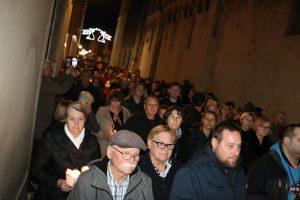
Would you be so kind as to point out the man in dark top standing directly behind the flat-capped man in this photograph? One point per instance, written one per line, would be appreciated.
(144, 122)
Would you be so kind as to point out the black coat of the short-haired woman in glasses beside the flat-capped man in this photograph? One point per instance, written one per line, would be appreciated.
(161, 186)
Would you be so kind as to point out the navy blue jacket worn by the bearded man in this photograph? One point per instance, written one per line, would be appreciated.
(204, 178)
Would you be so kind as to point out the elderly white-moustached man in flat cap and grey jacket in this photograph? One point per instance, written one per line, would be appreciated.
(116, 176)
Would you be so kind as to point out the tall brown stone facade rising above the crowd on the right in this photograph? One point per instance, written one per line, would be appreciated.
(239, 49)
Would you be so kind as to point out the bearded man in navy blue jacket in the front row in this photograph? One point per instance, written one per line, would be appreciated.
(215, 173)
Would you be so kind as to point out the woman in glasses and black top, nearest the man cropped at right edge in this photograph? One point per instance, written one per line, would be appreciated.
(258, 142)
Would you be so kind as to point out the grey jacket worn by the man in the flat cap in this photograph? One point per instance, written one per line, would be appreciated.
(92, 184)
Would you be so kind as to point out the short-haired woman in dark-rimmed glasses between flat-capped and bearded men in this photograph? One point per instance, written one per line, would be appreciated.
(158, 163)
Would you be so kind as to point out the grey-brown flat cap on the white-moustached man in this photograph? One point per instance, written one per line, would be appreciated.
(126, 138)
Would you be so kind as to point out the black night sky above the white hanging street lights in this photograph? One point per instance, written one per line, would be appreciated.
(102, 14)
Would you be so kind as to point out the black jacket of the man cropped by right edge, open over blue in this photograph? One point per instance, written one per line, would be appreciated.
(267, 179)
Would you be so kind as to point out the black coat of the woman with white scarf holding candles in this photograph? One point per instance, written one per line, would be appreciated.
(56, 154)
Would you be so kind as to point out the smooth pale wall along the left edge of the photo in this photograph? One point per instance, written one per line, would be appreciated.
(23, 39)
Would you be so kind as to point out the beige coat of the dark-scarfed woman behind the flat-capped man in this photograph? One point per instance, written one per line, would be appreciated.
(107, 126)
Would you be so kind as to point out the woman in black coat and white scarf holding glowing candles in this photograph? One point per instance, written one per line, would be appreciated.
(68, 146)
